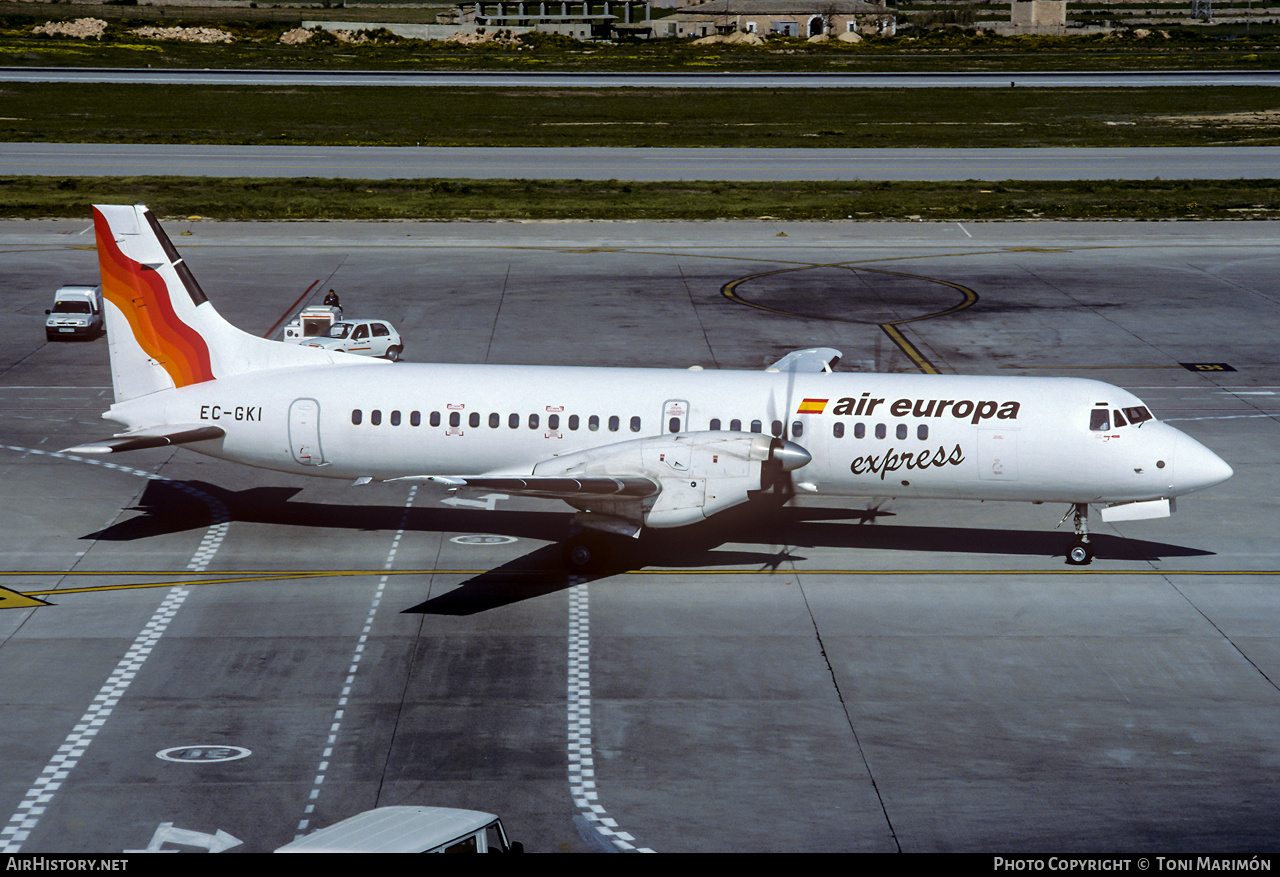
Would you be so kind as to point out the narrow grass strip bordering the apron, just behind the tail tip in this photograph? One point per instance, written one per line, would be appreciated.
(314, 199)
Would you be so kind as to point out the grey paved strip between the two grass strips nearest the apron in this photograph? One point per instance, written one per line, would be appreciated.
(639, 165)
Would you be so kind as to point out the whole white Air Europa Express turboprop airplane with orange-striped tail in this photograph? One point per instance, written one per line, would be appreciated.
(629, 449)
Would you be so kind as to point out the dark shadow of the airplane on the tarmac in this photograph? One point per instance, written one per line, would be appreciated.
(168, 510)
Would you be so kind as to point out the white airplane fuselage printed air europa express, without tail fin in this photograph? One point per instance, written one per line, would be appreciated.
(868, 435)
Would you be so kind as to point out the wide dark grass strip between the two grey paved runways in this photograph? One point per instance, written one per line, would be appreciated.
(639, 117)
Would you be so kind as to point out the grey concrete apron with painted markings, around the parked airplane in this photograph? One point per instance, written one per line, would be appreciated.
(230, 657)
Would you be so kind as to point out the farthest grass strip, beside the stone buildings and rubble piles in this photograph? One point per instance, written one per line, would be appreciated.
(258, 30)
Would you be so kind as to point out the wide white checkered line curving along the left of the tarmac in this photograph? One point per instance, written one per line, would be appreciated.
(25, 820)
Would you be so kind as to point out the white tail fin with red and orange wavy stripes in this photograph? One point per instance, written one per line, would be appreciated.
(162, 330)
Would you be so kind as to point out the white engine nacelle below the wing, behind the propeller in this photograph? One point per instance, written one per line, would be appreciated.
(700, 474)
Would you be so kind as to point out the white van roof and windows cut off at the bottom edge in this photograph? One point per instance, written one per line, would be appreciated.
(399, 830)
